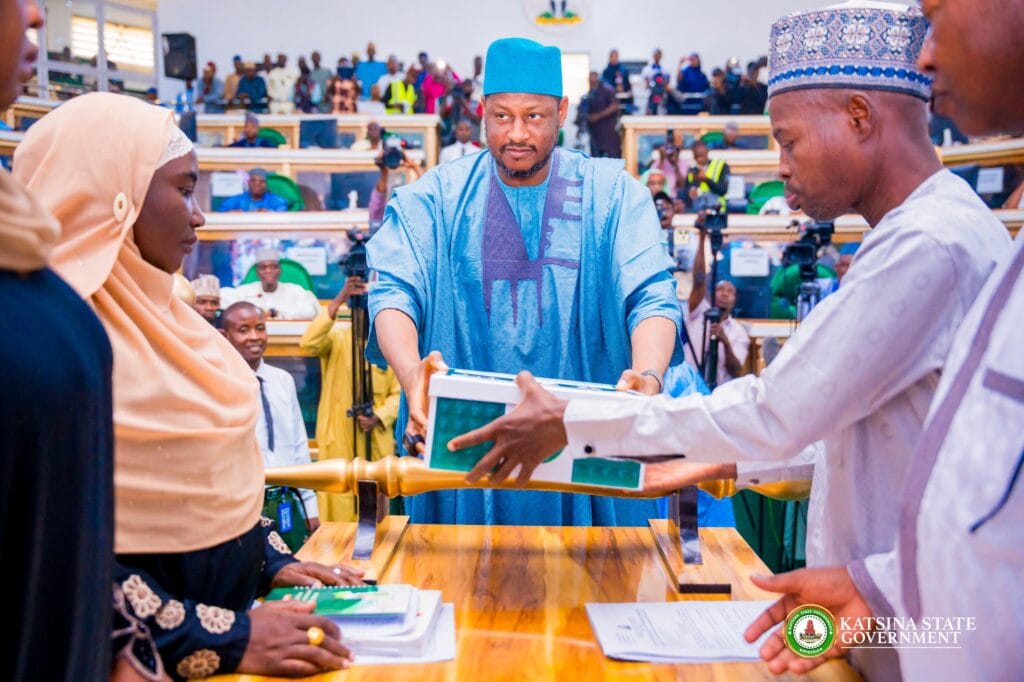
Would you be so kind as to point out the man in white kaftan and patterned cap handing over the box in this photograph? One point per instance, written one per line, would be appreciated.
(861, 371)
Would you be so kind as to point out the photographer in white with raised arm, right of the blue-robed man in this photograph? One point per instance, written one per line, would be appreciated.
(735, 343)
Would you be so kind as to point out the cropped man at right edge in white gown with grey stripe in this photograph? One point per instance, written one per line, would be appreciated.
(959, 546)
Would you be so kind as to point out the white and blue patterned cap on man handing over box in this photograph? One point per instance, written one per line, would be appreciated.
(860, 46)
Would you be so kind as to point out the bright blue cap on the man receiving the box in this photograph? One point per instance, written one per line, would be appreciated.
(518, 65)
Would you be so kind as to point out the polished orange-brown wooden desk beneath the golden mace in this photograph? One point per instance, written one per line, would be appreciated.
(520, 595)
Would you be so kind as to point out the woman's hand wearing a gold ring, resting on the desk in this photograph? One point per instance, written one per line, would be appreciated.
(279, 644)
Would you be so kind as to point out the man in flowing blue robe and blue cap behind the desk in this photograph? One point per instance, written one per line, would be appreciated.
(525, 258)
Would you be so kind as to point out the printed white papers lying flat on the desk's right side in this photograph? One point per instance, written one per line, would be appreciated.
(677, 631)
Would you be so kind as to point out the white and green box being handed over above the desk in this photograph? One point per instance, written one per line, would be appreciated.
(462, 401)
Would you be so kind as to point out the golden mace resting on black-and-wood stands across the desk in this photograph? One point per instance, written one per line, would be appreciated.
(377, 536)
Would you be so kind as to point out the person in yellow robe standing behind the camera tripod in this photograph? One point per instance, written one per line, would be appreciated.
(338, 435)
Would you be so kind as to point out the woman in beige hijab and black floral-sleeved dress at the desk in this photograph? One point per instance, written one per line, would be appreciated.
(192, 548)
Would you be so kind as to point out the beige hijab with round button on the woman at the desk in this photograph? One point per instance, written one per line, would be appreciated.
(189, 474)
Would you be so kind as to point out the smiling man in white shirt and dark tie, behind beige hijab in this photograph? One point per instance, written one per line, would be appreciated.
(281, 432)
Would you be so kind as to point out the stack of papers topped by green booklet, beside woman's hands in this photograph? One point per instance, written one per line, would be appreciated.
(385, 623)
